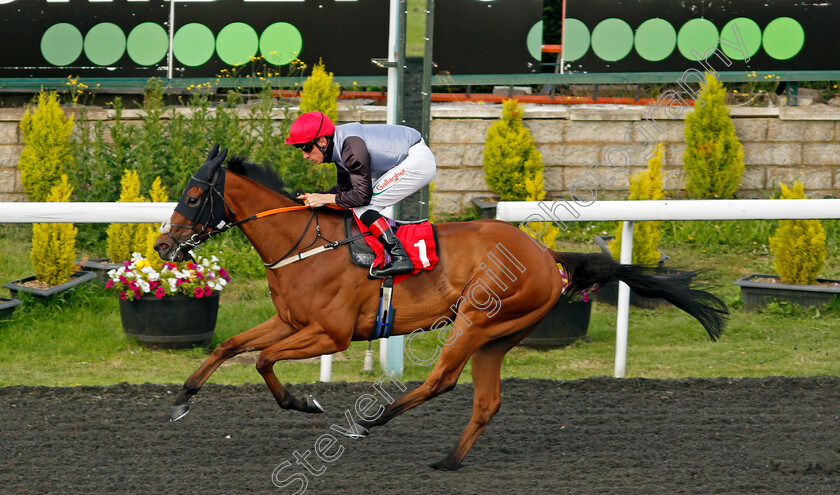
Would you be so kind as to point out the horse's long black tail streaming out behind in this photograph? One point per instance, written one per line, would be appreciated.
(586, 270)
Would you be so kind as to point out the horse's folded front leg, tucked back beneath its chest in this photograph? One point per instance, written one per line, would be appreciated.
(310, 341)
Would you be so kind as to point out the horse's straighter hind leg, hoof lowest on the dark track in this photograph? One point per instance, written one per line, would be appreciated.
(486, 373)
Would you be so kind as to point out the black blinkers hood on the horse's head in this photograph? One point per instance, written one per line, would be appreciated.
(210, 178)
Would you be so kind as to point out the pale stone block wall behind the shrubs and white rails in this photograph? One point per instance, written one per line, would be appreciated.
(780, 145)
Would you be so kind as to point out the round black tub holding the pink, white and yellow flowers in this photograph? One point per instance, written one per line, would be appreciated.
(172, 322)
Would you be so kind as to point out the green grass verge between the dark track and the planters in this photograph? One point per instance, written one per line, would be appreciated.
(77, 339)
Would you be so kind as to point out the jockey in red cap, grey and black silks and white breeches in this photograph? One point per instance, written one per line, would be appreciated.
(378, 165)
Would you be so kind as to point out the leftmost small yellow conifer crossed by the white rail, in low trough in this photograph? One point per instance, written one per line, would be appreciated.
(54, 244)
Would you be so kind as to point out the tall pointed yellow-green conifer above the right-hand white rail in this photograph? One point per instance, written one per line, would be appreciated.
(714, 158)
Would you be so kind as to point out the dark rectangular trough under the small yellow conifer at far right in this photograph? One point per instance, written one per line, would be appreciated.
(757, 293)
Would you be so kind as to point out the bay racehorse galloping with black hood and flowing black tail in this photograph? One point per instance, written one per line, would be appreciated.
(492, 285)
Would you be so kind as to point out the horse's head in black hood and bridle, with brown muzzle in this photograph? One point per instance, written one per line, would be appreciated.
(201, 210)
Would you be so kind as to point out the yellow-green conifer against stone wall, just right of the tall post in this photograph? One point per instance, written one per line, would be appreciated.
(510, 156)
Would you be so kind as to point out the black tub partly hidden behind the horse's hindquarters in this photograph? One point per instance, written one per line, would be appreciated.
(567, 322)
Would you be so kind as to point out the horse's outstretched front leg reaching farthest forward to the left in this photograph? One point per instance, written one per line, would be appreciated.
(256, 339)
